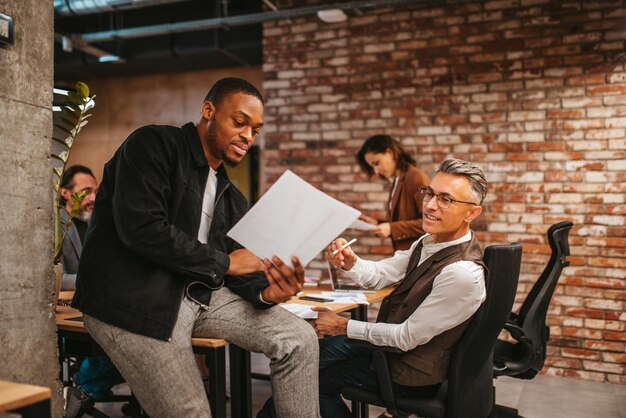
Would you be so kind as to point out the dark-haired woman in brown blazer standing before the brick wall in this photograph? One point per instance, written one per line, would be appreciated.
(384, 156)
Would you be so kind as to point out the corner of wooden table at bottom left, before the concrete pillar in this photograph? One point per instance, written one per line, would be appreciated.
(27, 400)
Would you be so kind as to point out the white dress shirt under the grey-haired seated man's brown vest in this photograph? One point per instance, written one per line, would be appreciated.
(457, 293)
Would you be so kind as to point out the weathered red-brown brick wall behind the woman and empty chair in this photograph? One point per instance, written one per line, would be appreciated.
(535, 91)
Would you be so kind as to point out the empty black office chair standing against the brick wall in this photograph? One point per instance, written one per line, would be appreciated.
(525, 357)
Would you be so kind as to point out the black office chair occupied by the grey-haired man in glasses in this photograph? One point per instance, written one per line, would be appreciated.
(468, 391)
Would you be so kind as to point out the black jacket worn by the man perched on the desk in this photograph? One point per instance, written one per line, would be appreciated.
(141, 248)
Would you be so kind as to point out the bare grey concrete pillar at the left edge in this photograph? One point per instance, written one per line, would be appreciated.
(27, 329)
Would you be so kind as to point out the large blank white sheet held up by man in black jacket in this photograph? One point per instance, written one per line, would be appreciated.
(292, 218)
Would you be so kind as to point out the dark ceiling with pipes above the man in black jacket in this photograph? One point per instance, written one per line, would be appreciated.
(186, 50)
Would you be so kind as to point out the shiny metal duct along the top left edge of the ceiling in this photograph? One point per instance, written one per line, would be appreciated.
(84, 7)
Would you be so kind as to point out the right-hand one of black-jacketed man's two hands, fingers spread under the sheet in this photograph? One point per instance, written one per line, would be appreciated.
(284, 282)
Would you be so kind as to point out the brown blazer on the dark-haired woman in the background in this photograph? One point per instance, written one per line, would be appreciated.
(405, 215)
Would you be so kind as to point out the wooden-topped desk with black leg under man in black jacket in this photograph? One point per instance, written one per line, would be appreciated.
(74, 340)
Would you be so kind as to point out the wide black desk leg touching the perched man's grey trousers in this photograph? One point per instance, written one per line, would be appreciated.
(240, 388)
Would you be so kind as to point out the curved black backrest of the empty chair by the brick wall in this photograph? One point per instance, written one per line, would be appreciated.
(534, 309)
